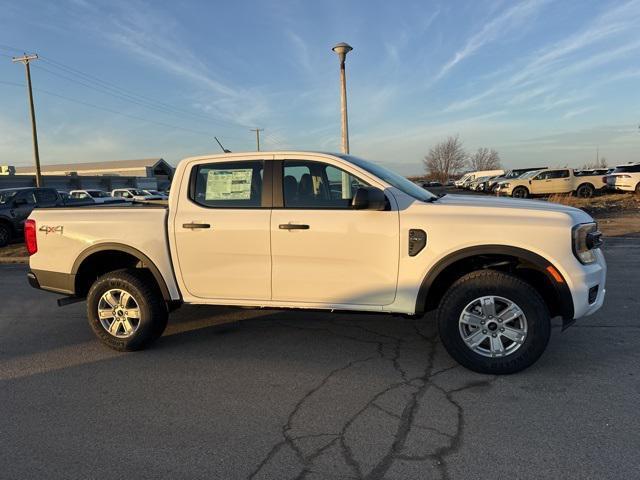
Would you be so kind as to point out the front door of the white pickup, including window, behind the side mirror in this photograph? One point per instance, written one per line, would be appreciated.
(323, 251)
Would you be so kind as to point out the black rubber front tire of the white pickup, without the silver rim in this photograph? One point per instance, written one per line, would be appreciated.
(489, 282)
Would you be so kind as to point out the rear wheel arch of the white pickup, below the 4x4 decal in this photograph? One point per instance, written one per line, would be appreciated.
(109, 257)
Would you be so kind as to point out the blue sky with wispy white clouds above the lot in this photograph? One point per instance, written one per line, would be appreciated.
(544, 82)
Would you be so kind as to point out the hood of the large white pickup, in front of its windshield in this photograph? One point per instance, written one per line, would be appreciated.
(476, 201)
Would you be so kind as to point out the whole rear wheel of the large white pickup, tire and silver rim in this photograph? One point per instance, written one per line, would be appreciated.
(126, 310)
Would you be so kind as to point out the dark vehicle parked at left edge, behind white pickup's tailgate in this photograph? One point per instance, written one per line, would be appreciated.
(16, 205)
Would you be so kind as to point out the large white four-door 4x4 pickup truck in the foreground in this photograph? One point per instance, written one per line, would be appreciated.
(322, 231)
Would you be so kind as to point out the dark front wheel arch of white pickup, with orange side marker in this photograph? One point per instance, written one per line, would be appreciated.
(525, 264)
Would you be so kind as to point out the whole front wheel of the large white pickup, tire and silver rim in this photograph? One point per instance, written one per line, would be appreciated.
(491, 322)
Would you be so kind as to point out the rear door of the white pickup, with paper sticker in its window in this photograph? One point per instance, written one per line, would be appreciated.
(222, 232)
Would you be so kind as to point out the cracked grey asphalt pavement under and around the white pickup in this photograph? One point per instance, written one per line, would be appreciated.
(241, 394)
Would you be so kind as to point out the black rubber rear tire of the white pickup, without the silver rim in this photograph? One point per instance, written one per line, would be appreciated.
(141, 285)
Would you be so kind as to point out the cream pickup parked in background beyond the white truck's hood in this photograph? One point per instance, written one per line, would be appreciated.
(550, 181)
